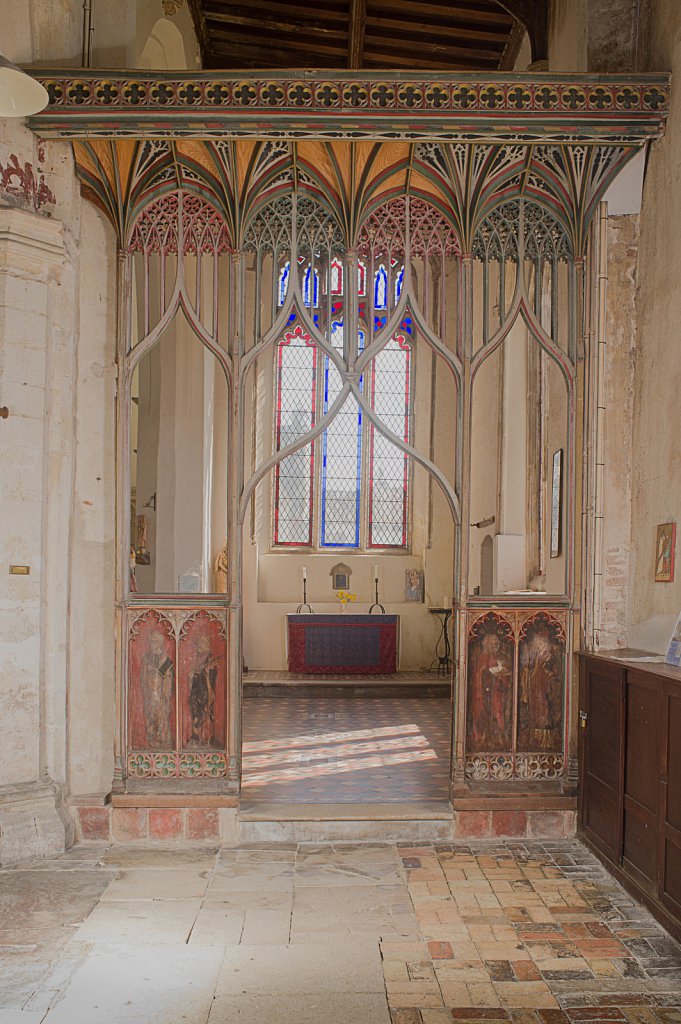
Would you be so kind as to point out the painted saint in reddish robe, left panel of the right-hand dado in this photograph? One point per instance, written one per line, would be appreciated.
(491, 696)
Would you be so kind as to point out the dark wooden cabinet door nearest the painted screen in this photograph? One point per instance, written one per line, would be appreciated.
(602, 745)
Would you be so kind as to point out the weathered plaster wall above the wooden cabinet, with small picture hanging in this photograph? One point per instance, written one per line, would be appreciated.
(657, 454)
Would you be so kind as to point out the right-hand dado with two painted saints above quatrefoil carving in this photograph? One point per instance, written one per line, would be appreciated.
(516, 696)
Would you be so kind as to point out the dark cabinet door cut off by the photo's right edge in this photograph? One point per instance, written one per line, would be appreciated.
(670, 862)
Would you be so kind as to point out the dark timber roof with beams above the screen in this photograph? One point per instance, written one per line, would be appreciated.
(446, 35)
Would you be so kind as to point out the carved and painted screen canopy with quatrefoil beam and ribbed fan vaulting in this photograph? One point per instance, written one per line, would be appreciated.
(354, 141)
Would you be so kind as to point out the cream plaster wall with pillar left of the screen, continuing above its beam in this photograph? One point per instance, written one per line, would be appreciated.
(58, 308)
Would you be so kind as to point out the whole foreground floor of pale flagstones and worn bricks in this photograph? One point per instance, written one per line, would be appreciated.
(347, 934)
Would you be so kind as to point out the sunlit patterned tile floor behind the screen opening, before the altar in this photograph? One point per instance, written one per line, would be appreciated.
(346, 749)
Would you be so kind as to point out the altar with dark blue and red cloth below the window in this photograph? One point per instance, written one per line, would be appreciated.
(342, 645)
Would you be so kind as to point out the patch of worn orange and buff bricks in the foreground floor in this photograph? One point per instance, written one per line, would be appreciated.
(530, 934)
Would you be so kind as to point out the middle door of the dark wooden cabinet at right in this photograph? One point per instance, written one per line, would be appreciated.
(643, 771)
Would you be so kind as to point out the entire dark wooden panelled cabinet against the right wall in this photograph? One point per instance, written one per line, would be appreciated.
(630, 777)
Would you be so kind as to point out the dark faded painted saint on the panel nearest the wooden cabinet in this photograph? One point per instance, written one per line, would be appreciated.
(541, 692)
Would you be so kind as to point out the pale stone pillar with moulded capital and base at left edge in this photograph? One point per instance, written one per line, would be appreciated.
(32, 823)
